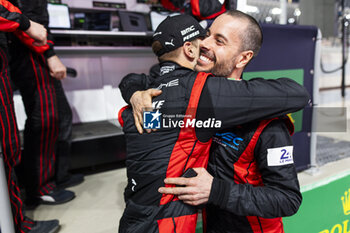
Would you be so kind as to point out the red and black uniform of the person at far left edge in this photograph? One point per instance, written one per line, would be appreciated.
(11, 19)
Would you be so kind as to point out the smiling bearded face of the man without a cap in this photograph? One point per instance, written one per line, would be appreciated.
(221, 49)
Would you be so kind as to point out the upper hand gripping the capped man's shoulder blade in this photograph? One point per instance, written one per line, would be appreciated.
(140, 101)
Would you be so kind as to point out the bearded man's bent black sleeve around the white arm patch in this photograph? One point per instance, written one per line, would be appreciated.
(280, 194)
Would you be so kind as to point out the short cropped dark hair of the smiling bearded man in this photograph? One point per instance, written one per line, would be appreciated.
(252, 37)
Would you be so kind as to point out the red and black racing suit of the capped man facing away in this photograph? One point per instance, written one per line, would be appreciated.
(170, 151)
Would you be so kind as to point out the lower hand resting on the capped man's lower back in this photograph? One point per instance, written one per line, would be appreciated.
(197, 189)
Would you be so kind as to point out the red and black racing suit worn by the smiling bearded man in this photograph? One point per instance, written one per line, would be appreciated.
(255, 181)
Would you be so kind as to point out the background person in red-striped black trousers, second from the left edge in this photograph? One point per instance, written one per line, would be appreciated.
(47, 134)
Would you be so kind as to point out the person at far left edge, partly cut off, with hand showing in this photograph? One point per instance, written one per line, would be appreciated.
(12, 20)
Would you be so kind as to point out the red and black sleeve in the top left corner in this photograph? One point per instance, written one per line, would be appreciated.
(12, 18)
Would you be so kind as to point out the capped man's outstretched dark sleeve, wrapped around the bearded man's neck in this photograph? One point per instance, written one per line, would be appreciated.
(237, 102)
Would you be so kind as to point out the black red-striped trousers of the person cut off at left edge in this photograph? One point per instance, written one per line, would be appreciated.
(11, 146)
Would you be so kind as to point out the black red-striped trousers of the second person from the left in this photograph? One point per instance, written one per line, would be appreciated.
(47, 133)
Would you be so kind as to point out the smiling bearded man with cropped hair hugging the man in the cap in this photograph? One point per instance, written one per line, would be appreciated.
(253, 181)
